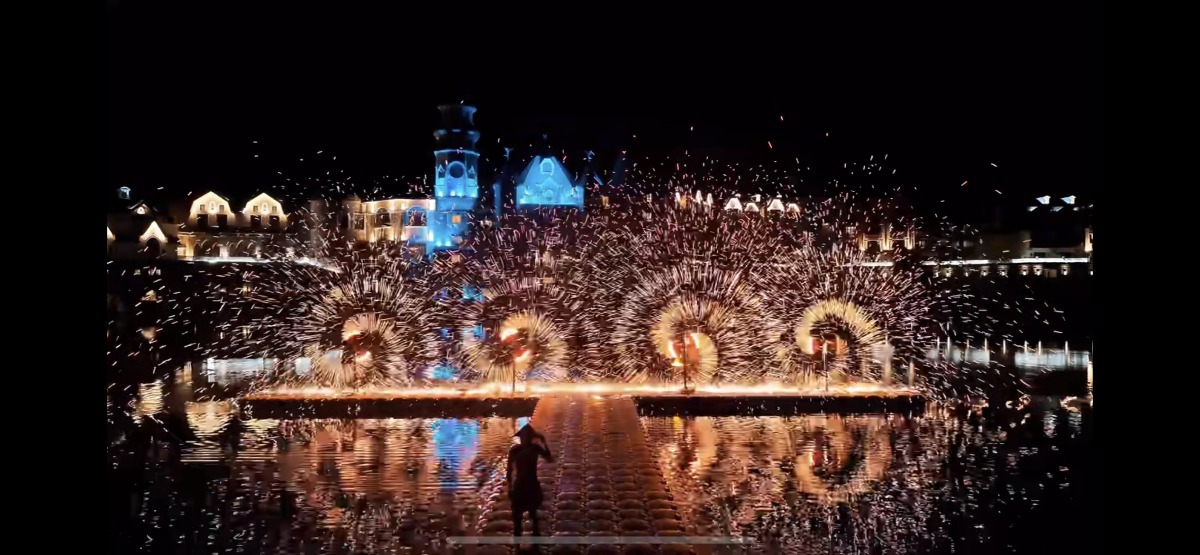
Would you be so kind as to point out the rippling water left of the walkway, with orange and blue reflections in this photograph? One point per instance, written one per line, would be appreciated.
(260, 486)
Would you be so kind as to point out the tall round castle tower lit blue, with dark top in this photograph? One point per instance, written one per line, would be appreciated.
(455, 175)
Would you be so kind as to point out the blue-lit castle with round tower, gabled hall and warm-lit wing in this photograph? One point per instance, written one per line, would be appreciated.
(429, 225)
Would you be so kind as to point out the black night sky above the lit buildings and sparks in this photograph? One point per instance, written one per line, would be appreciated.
(945, 93)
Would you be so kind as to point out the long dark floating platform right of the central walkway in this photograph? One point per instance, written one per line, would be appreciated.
(701, 404)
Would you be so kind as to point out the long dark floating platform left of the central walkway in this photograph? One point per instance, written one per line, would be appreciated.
(290, 407)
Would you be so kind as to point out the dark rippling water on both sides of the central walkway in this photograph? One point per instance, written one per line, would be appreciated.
(188, 476)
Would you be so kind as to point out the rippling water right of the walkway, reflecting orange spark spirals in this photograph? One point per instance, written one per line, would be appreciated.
(878, 484)
